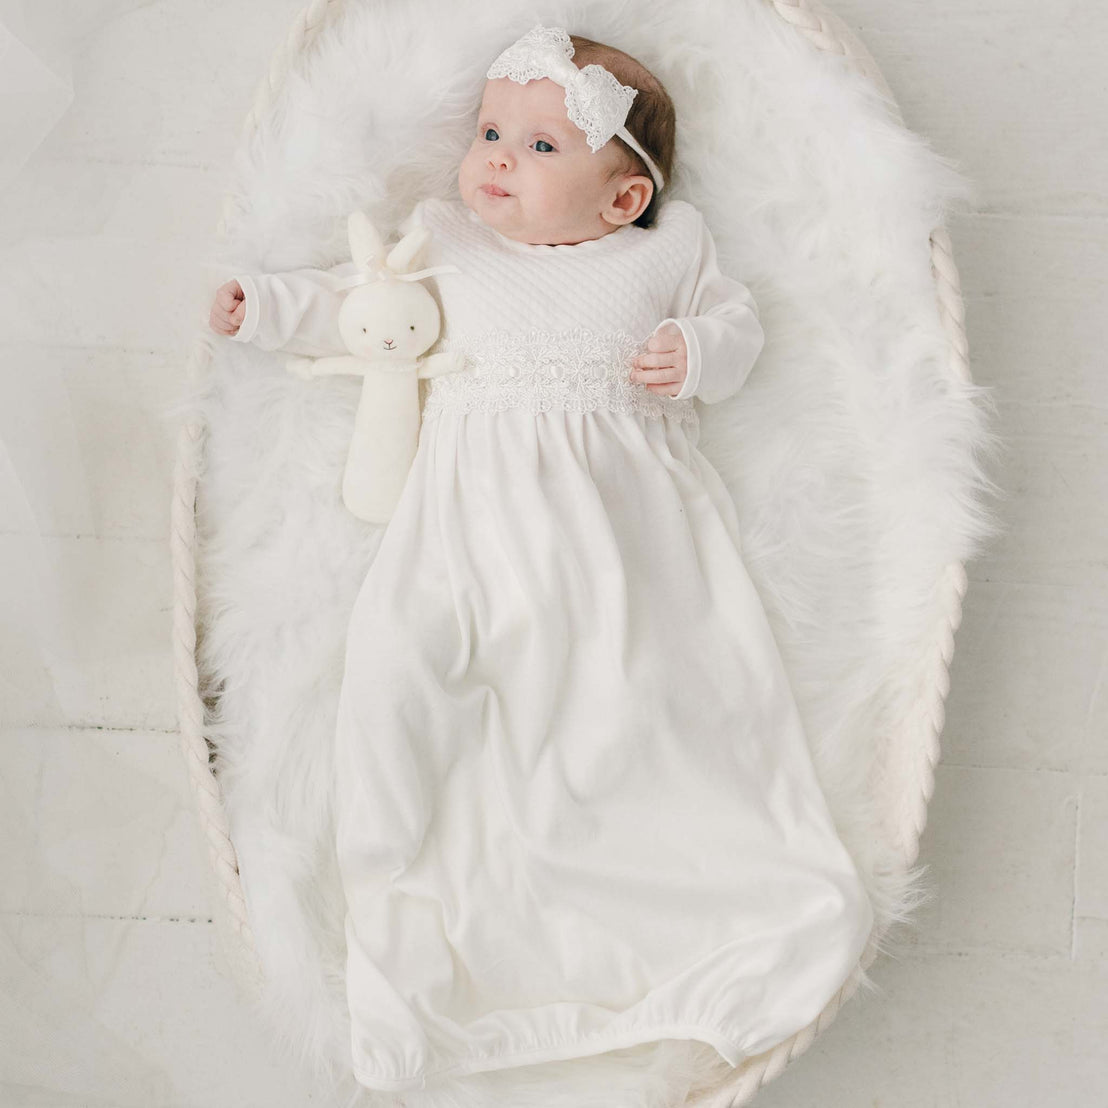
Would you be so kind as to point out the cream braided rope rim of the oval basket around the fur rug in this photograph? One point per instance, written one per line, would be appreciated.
(909, 770)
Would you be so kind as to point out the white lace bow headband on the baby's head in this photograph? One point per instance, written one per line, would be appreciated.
(596, 100)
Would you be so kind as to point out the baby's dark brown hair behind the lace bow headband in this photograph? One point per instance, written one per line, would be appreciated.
(652, 119)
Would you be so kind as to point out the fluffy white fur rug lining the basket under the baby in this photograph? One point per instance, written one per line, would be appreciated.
(853, 453)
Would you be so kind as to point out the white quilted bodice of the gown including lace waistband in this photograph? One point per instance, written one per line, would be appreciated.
(549, 327)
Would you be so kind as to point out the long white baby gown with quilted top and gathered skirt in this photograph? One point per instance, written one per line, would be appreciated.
(576, 806)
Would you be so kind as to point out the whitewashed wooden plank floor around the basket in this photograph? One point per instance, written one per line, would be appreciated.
(110, 988)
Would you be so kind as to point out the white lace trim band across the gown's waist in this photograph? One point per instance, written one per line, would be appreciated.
(572, 371)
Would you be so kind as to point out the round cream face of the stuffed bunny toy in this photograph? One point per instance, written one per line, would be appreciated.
(389, 321)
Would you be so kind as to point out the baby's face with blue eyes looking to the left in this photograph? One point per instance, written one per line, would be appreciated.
(559, 191)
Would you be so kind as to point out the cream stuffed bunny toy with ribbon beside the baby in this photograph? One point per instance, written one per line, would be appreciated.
(387, 322)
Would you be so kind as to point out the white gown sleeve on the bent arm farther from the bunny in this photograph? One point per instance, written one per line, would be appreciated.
(720, 321)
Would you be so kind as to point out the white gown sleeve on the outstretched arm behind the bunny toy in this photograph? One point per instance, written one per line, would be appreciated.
(299, 312)
